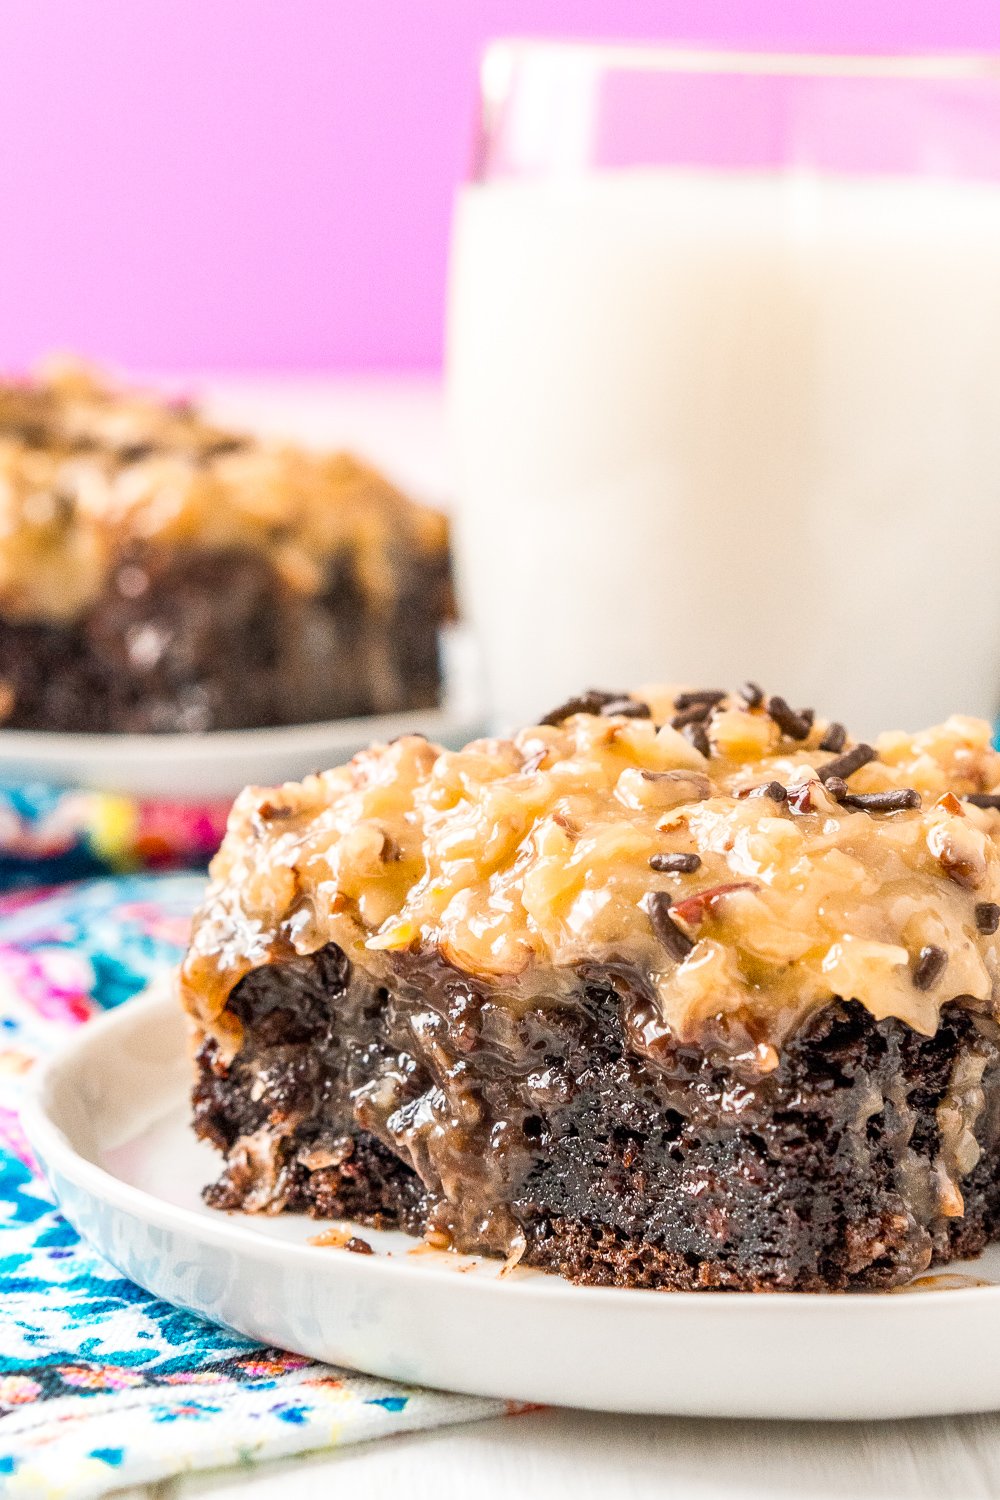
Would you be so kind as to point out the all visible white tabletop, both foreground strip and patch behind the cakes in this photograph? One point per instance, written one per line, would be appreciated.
(567, 1456)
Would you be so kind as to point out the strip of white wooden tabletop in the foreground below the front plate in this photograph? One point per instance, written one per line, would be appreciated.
(573, 1456)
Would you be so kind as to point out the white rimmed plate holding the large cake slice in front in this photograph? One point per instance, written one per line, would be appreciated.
(110, 1123)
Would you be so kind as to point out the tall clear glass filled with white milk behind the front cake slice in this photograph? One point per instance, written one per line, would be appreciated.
(725, 379)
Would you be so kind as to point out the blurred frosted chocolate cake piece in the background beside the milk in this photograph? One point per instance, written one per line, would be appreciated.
(158, 574)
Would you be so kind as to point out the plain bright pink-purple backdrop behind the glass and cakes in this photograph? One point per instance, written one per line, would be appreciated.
(265, 185)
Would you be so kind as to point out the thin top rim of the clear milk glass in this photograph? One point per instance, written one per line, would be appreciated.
(501, 56)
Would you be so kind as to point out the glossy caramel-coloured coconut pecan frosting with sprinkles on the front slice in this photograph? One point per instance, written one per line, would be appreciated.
(749, 860)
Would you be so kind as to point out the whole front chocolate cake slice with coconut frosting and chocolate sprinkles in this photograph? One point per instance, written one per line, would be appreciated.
(678, 991)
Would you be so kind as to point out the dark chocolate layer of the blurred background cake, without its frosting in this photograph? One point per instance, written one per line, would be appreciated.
(214, 638)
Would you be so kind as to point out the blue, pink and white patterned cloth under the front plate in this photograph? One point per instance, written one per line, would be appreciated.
(101, 1384)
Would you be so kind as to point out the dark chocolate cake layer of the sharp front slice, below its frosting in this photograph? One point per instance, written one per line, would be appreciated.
(557, 1142)
